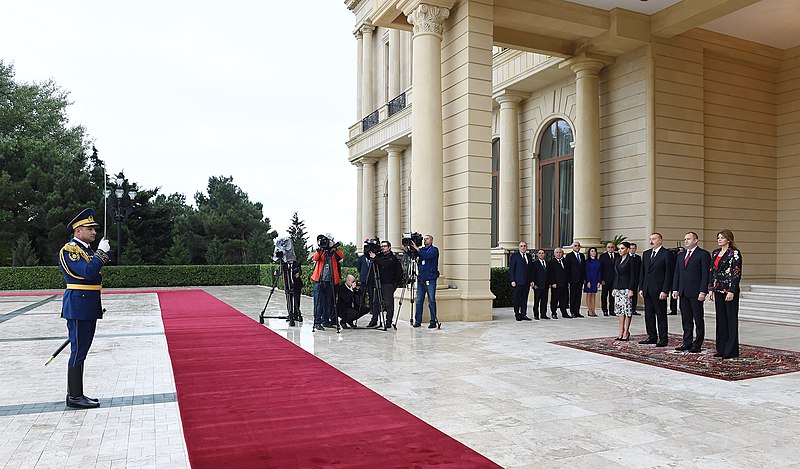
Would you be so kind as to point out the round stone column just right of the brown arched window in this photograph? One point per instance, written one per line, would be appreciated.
(586, 203)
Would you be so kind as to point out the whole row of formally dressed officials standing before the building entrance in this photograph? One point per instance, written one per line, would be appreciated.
(691, 278)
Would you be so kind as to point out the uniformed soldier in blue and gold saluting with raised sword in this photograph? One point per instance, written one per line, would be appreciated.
(81, 304)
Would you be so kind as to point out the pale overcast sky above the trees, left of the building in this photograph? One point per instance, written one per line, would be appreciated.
(173, 92)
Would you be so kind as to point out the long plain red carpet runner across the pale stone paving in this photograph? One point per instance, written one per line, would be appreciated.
(250, 398)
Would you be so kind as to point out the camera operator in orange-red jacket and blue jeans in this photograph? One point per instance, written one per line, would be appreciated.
(326, 276)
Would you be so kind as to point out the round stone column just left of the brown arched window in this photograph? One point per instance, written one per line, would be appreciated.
(508, 199)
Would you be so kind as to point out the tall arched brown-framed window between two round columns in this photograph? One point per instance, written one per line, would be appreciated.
(556, 185)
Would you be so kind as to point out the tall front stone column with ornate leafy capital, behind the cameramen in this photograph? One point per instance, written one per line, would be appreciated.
(426, 114)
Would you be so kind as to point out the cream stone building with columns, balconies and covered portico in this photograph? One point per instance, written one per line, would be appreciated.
(486, 122)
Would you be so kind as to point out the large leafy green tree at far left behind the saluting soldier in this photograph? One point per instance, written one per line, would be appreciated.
(45, 174)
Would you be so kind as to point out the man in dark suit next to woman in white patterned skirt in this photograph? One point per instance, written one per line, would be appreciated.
(655, 281)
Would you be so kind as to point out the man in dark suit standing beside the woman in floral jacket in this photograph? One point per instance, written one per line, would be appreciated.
(690, 284)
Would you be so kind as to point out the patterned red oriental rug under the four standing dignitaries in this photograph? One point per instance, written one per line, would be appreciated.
(753, 362)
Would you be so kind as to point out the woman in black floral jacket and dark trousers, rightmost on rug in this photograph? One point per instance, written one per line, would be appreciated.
(723, 284)
